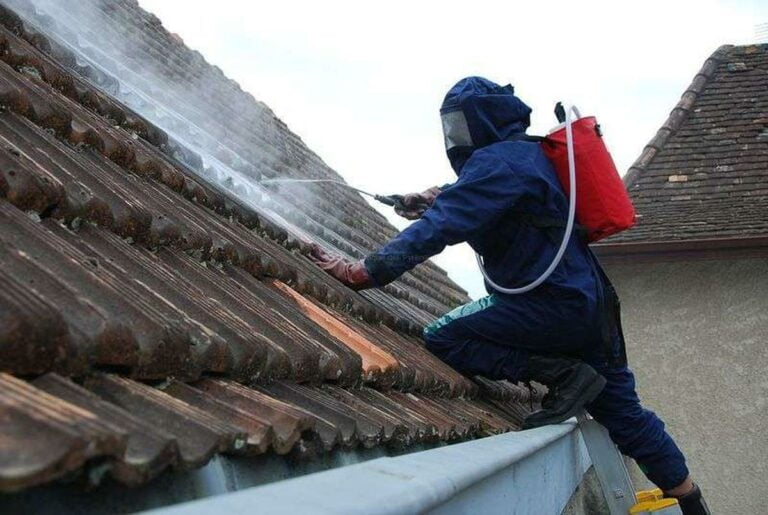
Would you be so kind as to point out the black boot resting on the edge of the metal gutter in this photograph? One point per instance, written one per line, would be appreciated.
(571, 383)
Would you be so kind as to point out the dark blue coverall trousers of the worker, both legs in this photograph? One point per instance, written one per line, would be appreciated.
(492, 337)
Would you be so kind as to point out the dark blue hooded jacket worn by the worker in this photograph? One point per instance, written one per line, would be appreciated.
(499, 181)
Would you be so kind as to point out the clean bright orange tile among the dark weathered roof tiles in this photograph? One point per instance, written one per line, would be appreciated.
(375, 360)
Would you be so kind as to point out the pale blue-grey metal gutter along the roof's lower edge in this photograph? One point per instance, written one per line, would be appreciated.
(533, 471)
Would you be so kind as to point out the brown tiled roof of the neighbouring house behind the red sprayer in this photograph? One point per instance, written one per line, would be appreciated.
(705, 174)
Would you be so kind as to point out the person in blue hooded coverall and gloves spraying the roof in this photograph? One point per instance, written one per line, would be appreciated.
(566, 333)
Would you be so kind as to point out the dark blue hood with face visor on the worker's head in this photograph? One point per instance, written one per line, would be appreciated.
(477, 112)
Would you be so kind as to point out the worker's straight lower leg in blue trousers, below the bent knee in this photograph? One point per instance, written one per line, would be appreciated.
(638, 432)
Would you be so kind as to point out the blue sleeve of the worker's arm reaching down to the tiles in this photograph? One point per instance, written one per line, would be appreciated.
(486, 189)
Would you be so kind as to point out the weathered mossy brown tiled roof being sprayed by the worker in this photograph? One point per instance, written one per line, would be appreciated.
(150, 318)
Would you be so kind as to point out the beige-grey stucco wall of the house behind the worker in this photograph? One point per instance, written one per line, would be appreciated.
(697, 339)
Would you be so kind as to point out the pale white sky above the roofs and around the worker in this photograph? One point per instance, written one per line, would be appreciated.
(361, 83)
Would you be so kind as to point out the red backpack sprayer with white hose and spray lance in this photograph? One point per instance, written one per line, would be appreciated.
(597, 199)
